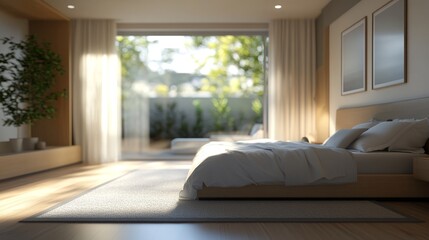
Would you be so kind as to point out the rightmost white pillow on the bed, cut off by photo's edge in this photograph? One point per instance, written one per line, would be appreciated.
(412, 140)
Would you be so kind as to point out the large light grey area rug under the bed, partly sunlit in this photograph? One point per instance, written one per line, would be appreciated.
(151, 196)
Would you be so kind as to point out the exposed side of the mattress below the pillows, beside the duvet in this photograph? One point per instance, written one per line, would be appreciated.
(385, 162)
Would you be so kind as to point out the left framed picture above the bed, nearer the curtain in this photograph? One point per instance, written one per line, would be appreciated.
(353, 58)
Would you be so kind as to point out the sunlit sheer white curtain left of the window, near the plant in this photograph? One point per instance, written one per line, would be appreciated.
(96, 90)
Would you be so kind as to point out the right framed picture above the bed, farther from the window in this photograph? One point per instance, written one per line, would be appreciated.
(389, 45)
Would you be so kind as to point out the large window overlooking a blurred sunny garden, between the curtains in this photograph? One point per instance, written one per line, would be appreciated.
(189, 87)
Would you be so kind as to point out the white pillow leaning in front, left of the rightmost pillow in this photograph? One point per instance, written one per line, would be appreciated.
(380, 137)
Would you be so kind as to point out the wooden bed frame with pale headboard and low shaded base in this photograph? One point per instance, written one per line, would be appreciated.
(367, 185)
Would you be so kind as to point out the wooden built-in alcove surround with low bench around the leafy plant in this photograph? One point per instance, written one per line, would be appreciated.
(48, 25)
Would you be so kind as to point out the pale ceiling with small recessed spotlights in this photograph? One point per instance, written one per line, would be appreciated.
(189, 11)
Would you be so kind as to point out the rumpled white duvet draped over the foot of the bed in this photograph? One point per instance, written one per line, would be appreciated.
(226, 164)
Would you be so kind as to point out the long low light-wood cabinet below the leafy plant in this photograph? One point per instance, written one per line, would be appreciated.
(18, 164)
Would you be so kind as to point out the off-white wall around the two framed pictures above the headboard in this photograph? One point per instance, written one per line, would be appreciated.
(418, 58)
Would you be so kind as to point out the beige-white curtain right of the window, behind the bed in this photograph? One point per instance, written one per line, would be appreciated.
(291, 79)
